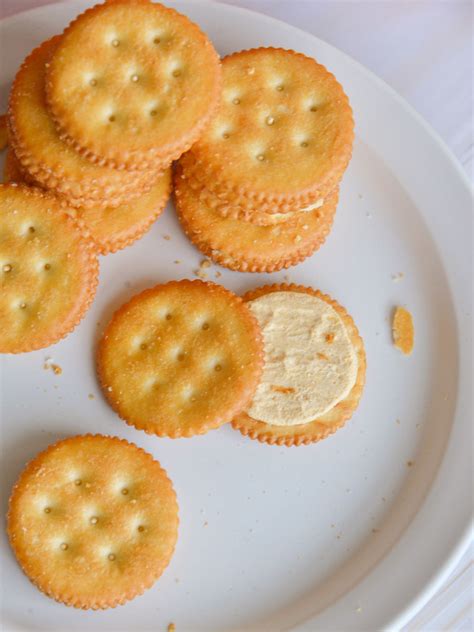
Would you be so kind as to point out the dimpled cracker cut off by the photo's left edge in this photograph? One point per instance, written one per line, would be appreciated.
(48, 270)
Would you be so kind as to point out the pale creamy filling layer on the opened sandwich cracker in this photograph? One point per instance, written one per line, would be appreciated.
(310, 362)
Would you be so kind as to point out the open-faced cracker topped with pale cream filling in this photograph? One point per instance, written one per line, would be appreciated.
(314, 370)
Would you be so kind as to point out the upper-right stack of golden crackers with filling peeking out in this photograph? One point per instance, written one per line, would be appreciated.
(259, 189)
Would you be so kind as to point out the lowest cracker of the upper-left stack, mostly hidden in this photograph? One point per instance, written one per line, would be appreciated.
(111, 228)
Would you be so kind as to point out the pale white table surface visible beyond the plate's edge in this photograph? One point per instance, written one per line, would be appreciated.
(424, 50)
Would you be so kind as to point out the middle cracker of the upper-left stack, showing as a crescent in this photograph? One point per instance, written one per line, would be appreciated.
(49, 160)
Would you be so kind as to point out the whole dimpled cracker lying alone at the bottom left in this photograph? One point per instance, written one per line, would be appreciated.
(93, 521)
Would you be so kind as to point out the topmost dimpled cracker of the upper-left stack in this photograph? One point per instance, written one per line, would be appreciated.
(132, 80)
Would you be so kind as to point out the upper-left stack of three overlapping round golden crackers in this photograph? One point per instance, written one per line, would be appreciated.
(97, 115)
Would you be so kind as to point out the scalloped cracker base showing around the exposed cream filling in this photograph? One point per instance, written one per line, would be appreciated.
(331, 421)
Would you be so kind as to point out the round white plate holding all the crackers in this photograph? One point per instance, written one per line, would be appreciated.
(275, 538)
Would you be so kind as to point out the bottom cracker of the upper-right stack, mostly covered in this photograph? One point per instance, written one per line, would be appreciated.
(245, 246)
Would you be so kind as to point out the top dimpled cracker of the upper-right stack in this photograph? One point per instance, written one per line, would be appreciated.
(284, 128)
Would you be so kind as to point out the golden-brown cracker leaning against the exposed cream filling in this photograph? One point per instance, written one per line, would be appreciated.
(181, 358)
